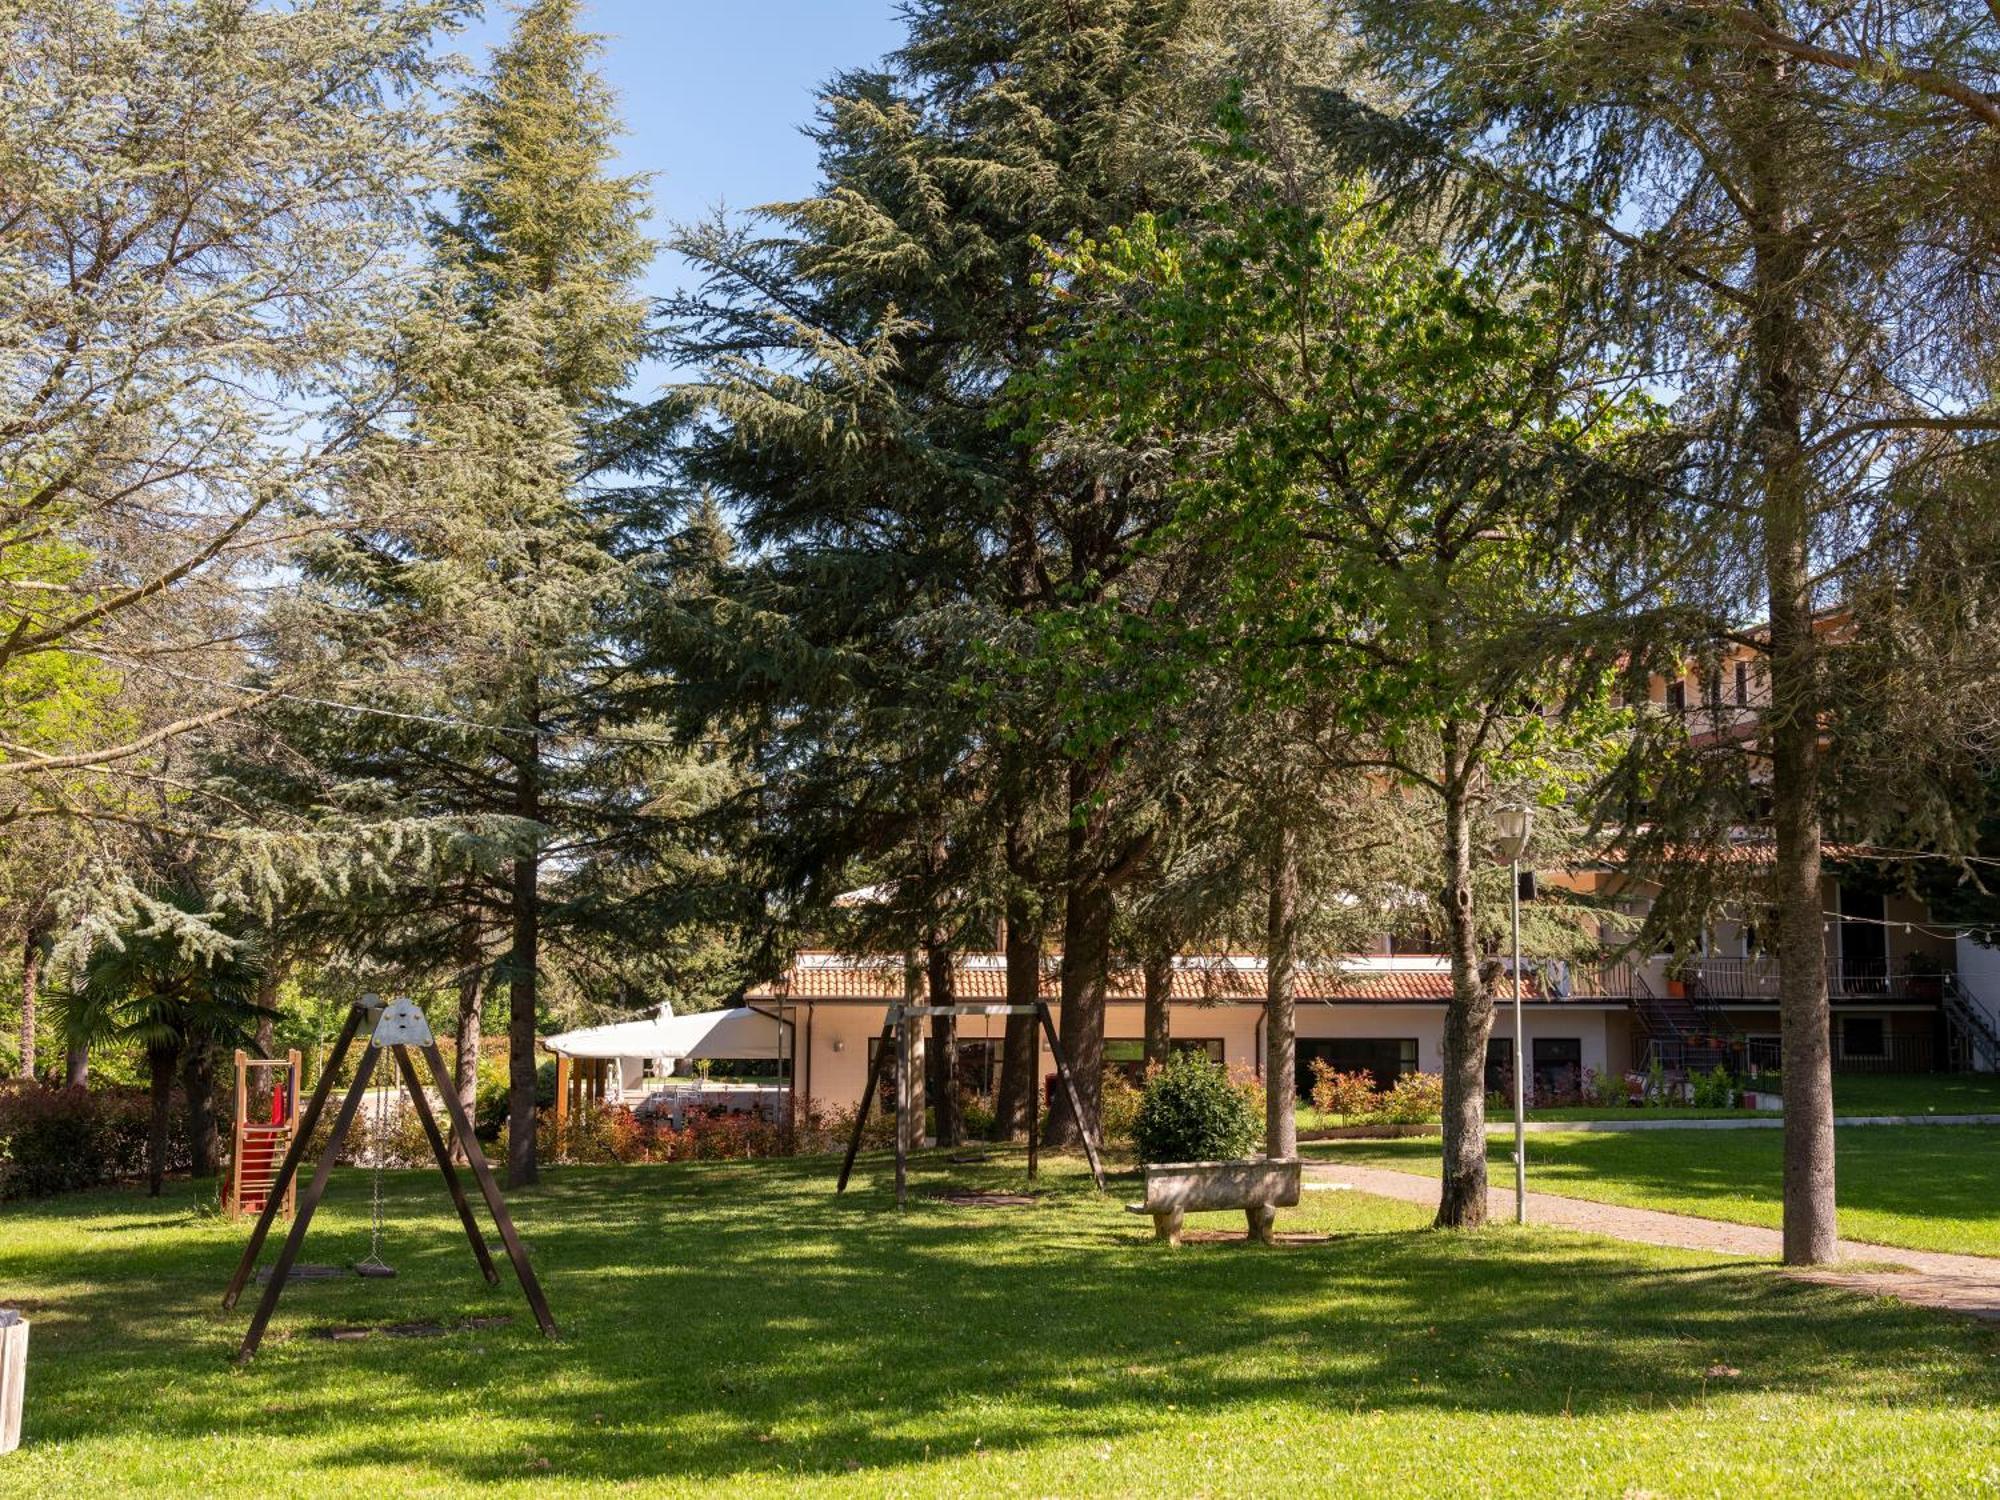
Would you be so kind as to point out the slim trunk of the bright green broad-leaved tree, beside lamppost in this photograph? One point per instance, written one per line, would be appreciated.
(1469, 1019)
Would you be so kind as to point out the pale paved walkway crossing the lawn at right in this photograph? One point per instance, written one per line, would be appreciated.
(1931, 1279)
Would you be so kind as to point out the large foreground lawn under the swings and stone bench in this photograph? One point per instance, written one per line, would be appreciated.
(739, 1329)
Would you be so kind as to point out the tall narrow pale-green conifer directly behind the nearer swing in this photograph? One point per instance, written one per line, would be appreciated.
(473, 605)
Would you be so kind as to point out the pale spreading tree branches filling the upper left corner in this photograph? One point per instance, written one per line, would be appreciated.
(201, 229)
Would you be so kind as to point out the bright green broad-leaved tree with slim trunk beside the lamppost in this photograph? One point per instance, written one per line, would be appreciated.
(1395, 489)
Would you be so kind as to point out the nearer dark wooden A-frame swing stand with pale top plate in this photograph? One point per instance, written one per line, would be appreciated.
(397, 1029)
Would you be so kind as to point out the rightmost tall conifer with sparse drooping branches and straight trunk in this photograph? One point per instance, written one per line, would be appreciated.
(1783, 201)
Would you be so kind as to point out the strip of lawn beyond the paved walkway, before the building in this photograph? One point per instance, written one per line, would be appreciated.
(1921, 1187)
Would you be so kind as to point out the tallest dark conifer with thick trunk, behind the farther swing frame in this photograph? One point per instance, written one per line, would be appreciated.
(897, 529)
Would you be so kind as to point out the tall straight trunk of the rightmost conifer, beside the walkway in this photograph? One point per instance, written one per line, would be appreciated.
(1777, 353)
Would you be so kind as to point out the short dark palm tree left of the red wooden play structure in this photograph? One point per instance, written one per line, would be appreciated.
(177, 1003)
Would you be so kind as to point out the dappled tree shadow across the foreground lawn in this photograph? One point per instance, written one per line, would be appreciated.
(737, 1317)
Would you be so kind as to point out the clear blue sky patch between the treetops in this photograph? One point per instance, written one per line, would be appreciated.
(715, 93)
